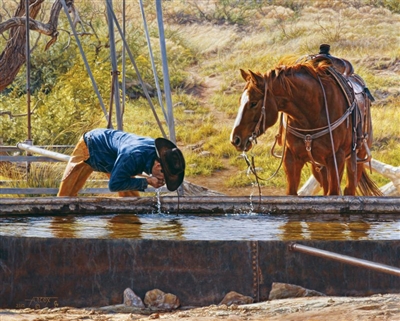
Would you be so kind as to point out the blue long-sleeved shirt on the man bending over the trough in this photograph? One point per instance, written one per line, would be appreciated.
(122, 155)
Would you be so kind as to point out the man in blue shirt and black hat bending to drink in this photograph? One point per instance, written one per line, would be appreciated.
(123, 156)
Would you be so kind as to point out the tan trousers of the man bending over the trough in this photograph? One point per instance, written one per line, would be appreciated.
(77, 172)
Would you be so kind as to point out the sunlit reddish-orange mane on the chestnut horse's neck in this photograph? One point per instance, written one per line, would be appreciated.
(289, 65)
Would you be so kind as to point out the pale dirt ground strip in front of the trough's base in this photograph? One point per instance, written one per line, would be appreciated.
(377, 308)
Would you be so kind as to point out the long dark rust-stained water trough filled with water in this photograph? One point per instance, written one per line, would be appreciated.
(71, 269)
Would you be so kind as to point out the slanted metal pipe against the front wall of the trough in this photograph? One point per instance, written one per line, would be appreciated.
(345, 259)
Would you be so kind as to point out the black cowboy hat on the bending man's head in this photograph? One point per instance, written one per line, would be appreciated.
(172, 163)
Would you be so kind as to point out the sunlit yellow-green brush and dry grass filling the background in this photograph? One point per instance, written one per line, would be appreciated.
(207, 42)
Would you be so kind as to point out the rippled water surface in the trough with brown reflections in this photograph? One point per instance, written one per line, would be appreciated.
(203, 227)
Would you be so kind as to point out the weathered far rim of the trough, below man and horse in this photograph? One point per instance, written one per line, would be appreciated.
(340, 206)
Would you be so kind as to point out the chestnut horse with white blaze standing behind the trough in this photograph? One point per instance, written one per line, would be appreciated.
(322, 123)
